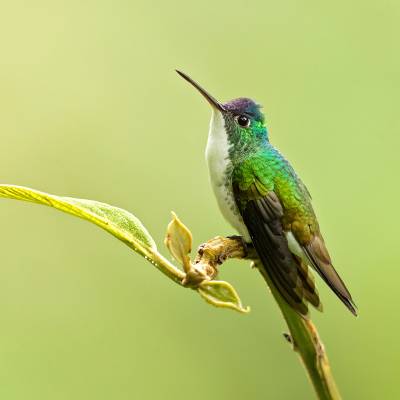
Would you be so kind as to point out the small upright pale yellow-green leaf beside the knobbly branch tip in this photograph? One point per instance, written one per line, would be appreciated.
(179, 242)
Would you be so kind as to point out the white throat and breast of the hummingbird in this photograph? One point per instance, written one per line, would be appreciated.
(217, 157)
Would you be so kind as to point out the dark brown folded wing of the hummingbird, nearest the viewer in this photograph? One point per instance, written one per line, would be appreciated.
(262, 214)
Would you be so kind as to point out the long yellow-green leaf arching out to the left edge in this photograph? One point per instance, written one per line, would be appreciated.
(120, 223)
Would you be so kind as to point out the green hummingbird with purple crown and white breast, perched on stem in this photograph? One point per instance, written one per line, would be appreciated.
(261, 196)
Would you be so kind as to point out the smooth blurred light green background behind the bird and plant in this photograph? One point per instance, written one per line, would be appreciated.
(90, 106)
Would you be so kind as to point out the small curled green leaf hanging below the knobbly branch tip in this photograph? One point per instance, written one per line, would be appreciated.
(221, 294)
